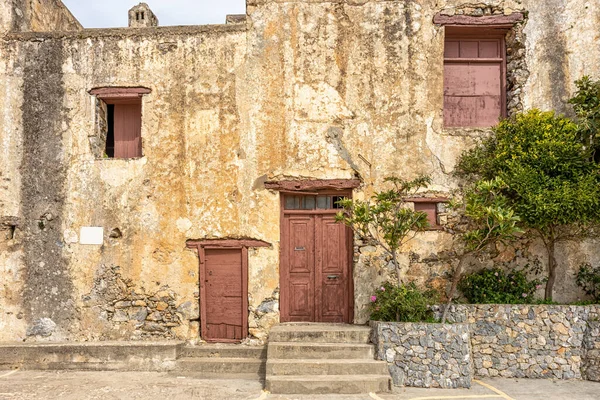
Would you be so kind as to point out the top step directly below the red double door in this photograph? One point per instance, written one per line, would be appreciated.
(320, 333)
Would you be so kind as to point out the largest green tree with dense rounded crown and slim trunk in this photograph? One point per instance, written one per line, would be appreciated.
(552, 184)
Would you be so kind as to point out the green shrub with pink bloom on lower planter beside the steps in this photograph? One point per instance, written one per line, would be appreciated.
(405, 303)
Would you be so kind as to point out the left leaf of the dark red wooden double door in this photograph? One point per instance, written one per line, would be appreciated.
(299, 269)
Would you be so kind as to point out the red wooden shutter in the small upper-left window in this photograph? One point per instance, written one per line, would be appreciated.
(128, 130)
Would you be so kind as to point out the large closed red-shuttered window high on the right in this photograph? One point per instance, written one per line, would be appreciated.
(474, 77)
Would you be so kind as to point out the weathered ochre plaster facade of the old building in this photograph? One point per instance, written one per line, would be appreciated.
(347, 90)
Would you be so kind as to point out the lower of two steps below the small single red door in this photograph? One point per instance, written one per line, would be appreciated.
(221, 365)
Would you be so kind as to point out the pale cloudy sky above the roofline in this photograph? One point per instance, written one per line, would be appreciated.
(113, 13)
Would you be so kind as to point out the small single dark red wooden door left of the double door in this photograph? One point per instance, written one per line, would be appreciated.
(223, 295)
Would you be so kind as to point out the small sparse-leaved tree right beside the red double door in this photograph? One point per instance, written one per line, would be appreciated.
(385, 220)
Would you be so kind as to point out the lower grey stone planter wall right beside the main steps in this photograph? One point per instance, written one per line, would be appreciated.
(425, 355)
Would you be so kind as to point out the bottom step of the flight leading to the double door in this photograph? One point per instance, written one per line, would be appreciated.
(339, 384)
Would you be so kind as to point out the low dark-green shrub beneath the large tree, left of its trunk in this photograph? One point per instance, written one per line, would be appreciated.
(494, 286)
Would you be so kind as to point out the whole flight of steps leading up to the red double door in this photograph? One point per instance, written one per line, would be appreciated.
(323, 359)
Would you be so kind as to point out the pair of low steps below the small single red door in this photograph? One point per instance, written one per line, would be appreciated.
(223, 361)
